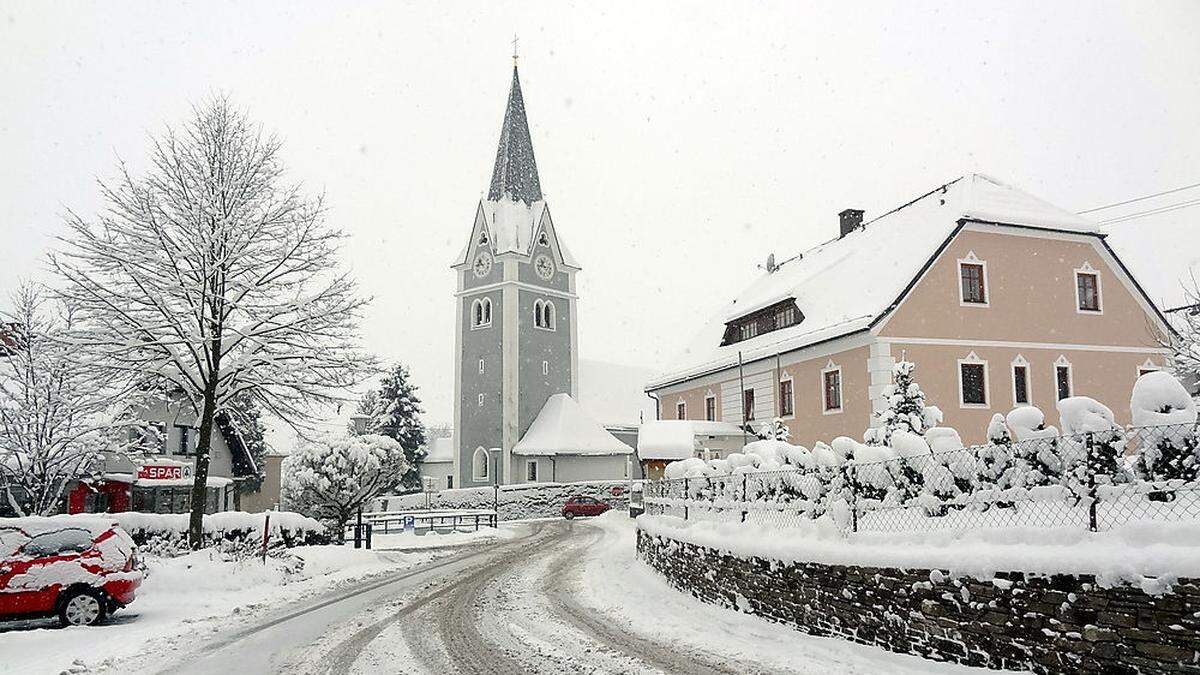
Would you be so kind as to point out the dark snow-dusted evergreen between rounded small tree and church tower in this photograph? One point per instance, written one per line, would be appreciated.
(395, 411)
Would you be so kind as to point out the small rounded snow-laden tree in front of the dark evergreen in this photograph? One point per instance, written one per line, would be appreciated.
(333, 480)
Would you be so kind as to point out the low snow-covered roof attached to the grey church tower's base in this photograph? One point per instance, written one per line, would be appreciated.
(563, 428)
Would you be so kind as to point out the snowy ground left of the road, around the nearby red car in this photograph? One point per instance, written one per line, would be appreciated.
(197, 594)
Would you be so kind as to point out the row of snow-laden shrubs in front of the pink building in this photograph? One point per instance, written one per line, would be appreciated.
(934, 471)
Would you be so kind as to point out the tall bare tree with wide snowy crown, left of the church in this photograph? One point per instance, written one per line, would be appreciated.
(213, 277)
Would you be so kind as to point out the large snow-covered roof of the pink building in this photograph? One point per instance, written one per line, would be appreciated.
(844, 285)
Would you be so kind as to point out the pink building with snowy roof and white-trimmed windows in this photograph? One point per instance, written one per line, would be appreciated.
(1000, 298)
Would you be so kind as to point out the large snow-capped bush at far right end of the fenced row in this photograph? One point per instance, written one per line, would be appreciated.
(1169, 446)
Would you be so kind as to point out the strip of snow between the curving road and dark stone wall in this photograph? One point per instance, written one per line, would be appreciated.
(623, 589)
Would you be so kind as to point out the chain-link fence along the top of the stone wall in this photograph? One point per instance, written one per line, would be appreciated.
(1091, 481)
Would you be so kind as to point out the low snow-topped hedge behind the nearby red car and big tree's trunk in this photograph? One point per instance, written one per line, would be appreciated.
(166, 534)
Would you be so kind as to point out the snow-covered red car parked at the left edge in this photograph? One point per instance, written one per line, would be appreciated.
(82, 574)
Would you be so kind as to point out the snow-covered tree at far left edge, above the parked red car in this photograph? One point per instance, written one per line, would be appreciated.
(56, 411)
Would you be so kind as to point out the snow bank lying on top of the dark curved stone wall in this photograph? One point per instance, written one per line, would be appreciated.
(1131, 553)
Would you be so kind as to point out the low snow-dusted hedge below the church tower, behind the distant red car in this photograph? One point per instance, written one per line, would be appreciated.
(515, 503)
